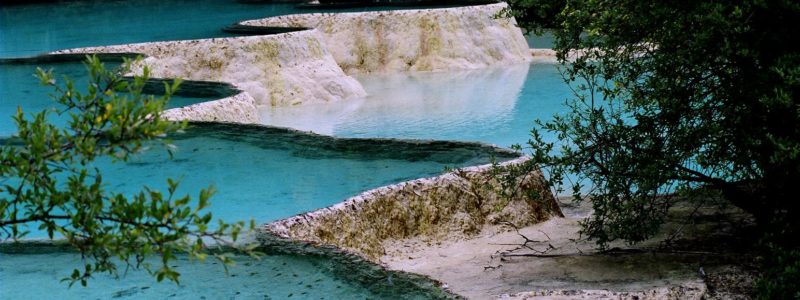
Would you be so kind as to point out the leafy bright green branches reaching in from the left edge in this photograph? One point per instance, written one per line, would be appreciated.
(48, 182)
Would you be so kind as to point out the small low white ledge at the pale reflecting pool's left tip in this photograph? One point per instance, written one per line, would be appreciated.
(239, 108)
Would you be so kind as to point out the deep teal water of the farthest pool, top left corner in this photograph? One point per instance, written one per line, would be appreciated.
(71, 24)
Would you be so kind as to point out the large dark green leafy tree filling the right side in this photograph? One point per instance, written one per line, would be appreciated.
(679, 100)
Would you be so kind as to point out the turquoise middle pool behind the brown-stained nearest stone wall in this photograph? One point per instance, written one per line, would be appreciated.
(271, 174)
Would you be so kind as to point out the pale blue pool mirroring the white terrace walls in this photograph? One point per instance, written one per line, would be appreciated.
(495, 105)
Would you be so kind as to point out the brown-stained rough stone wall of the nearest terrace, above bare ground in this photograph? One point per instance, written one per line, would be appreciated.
(453, 205)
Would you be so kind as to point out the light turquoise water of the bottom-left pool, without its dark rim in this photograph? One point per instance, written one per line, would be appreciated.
(278, 277)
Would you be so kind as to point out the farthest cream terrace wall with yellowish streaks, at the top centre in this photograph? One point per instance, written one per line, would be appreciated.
(416, 40)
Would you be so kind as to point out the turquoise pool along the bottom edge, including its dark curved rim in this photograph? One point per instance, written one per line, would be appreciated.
(285, 272)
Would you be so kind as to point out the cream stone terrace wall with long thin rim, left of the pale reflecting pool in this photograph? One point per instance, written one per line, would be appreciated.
(281, 69)
